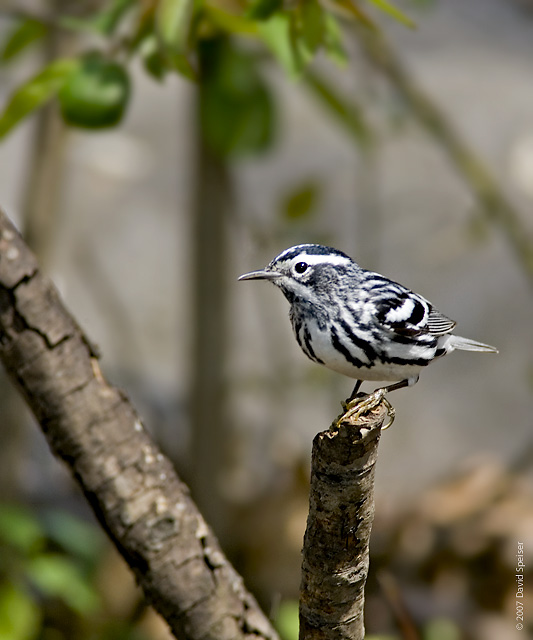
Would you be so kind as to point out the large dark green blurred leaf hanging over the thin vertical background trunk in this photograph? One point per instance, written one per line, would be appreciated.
(236, 108)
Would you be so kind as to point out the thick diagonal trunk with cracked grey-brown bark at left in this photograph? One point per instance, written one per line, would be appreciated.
(132, 488)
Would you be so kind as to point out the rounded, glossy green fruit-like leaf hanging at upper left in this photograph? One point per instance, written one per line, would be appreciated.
(96, 95)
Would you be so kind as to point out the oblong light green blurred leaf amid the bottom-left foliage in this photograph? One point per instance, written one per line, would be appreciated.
(59, 577)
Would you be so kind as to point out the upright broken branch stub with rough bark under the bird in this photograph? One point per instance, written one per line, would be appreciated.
(341, 511)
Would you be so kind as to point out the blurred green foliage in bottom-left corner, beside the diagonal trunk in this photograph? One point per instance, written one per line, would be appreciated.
(48, 564)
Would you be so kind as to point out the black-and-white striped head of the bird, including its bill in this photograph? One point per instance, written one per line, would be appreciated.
(305, 272)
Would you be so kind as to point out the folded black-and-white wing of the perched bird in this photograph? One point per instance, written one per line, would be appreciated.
(409, 314)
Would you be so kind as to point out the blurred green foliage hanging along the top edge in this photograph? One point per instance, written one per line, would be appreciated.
(219, 44)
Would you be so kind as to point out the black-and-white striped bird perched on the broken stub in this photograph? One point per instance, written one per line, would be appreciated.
(360, 323)
